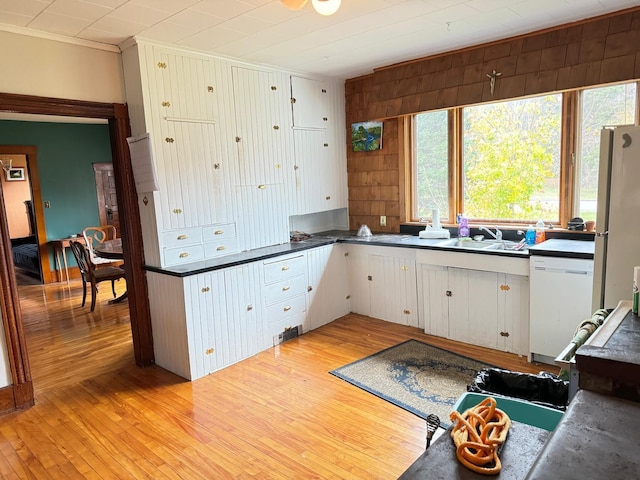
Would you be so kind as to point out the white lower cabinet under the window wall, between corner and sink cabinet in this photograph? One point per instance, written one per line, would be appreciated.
(383, 283)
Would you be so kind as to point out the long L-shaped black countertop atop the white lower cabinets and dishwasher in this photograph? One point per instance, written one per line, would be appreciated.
(344, 236)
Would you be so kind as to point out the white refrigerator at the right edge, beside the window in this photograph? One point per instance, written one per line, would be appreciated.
(617, 241)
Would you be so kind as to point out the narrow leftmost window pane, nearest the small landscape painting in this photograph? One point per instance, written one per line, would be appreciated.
(431, 165)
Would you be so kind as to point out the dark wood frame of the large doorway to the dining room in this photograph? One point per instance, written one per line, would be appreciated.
(119, 129)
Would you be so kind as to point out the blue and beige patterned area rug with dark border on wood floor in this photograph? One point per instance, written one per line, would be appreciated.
(420, 378)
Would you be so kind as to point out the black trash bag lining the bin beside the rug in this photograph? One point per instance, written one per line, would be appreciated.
(544, 389)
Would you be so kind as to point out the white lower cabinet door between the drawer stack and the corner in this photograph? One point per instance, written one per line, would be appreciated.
(328, 290)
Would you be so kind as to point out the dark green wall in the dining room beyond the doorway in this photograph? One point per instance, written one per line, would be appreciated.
(66, 152)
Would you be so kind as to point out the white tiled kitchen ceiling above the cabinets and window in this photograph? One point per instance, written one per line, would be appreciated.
(362, 35)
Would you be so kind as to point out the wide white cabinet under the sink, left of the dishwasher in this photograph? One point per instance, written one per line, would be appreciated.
(478, 307)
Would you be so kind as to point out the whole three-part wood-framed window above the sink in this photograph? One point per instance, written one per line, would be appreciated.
(507, 158)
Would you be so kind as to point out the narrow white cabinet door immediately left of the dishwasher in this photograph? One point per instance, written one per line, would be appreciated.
(513, 313)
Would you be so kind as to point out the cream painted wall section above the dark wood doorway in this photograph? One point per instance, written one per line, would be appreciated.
(52, 68)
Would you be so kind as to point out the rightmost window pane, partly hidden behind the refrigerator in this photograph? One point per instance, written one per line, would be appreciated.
(613, 105)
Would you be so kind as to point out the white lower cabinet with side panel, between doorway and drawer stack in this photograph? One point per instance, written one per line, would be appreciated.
(205, 322)
